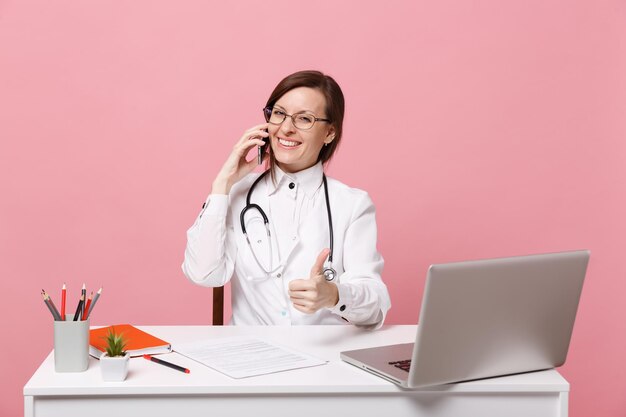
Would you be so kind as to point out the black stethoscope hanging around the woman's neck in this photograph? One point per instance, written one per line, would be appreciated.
(329, 273)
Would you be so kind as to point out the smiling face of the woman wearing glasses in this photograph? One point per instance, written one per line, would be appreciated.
(296, 149)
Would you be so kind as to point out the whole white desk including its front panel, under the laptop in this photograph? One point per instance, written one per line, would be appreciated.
(334, 389)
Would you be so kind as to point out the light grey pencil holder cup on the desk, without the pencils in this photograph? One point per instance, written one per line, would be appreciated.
(71, 345)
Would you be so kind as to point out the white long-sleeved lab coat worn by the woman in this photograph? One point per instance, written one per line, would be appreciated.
(217, 250)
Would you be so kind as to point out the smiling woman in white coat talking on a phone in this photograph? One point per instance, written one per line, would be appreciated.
(314, 261)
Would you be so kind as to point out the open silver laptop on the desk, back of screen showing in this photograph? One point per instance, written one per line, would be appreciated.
(486, 318)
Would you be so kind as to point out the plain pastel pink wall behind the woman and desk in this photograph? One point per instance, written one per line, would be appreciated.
(480, 128)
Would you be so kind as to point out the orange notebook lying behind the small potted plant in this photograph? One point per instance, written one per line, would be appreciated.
(138, 342)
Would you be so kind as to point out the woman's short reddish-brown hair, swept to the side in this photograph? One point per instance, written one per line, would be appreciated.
(335, 105)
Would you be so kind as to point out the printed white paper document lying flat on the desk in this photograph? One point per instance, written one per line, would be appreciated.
(242, 357)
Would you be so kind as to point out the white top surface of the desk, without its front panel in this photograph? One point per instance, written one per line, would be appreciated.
(324, 342)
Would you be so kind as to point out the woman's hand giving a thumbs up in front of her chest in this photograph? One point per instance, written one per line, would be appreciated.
(314, 293)
